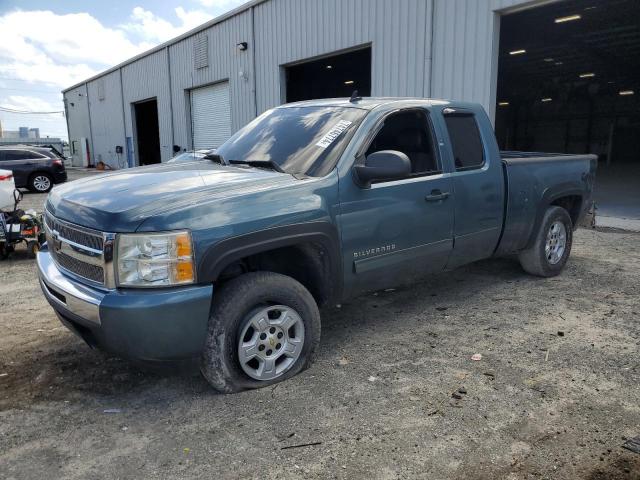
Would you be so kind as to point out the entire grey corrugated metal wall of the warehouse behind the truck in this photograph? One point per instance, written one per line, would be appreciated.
(461, 65)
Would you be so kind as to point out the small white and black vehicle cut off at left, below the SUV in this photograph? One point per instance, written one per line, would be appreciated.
(17, 226)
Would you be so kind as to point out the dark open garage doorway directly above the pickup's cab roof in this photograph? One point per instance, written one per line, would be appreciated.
(330, 77)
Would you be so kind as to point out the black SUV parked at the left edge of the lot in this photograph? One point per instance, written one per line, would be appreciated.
(35, 168)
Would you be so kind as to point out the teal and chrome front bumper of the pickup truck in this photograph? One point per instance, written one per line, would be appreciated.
(163, 324)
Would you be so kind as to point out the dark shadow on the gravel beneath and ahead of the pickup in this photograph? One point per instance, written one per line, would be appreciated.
(61, 367)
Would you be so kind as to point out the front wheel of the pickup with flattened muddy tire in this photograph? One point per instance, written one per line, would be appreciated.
(264, 328)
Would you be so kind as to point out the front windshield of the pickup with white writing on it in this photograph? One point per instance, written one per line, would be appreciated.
(300, 140)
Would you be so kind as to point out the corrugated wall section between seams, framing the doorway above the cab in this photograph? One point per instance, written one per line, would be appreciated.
(399, 32)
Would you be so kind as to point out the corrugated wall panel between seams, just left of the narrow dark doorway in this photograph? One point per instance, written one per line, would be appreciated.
(107, 122)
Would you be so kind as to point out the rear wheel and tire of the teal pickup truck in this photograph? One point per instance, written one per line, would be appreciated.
(552, 247)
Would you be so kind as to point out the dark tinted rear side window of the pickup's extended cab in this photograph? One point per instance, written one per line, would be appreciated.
(468, 152)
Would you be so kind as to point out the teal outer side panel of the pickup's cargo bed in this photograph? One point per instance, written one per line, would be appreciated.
(534, 180)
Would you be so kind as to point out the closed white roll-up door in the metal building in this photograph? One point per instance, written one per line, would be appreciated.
(210, 116)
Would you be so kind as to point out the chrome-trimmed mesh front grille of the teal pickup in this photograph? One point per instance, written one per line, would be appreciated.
(79, 250)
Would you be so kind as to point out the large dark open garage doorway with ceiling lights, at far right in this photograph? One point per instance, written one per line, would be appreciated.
(569, 81)
